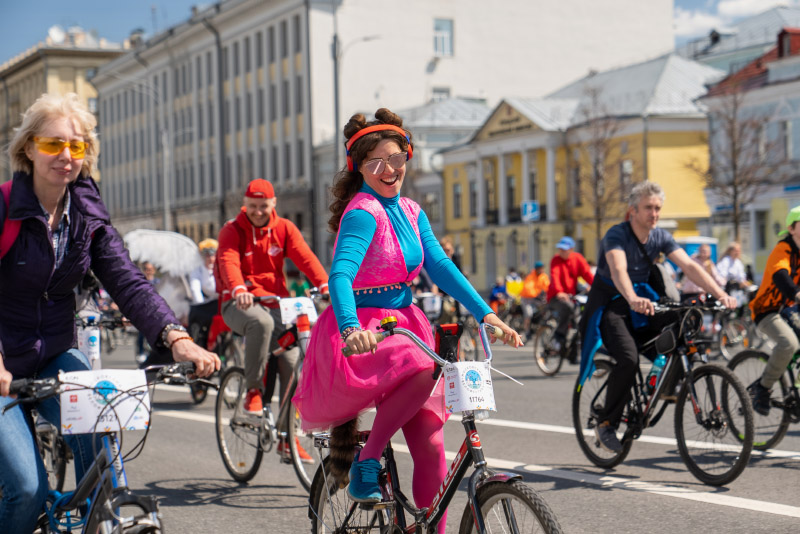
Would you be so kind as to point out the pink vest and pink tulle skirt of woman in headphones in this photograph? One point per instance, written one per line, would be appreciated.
(334, 389)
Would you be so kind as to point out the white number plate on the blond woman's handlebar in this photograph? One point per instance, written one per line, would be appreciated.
(103, 401)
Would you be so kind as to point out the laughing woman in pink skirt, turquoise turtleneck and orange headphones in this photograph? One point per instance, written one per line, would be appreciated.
(383, 240)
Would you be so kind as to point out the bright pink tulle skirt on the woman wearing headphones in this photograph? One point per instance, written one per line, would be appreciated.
(333, 389)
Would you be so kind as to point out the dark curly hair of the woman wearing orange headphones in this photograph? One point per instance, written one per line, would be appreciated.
(347, 183)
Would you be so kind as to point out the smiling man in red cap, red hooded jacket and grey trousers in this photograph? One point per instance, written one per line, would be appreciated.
(251, 251)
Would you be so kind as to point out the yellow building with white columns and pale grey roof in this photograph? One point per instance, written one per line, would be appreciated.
(568, 162)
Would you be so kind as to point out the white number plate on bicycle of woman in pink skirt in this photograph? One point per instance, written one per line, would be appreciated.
(468, 386)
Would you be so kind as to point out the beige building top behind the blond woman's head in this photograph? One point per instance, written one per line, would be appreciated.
(64, 63)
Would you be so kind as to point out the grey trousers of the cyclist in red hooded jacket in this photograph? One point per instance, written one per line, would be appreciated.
(261, 328)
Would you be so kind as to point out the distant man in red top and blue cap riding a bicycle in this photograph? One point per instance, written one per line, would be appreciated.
(565, 269)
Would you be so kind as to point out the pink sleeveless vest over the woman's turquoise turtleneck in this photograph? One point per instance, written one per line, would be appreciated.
(384, 263)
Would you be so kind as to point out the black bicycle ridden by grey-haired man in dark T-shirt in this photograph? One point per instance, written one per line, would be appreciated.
(713, 414)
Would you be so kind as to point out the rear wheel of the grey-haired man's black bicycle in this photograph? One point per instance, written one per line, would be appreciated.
(584, 418)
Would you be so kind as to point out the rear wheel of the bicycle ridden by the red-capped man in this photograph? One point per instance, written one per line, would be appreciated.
(237, 433)
